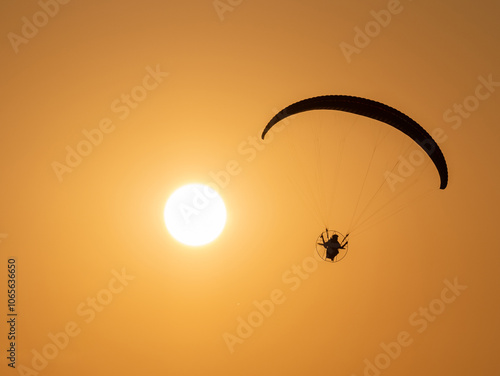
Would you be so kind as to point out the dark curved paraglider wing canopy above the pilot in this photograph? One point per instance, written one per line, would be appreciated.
(374, 110)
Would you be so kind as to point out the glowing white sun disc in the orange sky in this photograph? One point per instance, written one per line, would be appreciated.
(195, 214)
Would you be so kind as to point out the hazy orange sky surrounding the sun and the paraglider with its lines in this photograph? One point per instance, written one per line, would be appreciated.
(221, 72)
